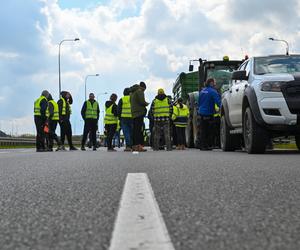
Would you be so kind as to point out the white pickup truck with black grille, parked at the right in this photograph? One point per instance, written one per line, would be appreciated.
(262, 102)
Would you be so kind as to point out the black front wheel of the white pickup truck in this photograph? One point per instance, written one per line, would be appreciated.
(255, 137)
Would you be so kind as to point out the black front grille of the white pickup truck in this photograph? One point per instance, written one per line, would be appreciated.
(291, 93)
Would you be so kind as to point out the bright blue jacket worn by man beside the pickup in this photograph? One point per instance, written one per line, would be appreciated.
(208, 97)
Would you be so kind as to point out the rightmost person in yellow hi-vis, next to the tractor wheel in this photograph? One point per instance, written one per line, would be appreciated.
(180, 117)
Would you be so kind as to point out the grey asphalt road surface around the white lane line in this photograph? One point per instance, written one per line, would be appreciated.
(209, 200)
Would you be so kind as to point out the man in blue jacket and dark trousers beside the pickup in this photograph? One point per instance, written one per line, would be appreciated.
(208, 98)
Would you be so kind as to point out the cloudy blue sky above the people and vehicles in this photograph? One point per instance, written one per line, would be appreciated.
(125, 41)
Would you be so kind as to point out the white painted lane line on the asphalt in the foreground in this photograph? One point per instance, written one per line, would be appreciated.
(139, 223)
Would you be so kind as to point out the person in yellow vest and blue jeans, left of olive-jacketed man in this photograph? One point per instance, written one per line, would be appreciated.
(125, 117)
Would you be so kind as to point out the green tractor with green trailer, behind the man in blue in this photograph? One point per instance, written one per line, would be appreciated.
(187, 86)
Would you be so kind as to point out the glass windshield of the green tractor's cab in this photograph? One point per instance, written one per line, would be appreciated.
(222, 75)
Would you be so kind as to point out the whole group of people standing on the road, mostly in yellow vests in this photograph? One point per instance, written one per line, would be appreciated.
(167, 120)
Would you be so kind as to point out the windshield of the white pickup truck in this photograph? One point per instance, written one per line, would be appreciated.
(276, 65)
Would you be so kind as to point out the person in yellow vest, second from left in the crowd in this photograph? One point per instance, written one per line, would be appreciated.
(53, 118)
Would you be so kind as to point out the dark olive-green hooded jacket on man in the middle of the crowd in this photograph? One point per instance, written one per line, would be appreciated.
(137, 100)
